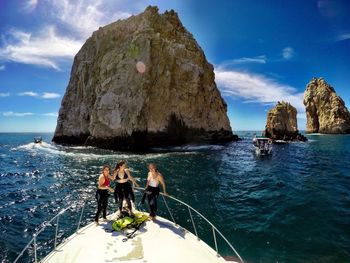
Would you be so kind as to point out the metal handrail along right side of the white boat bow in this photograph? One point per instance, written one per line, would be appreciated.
(198, 213)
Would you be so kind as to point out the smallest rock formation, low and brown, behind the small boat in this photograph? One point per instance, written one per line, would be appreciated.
(282, 124)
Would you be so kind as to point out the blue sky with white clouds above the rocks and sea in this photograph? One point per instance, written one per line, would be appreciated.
(262, 51)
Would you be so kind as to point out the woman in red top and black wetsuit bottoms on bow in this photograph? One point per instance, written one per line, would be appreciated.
(102, 193)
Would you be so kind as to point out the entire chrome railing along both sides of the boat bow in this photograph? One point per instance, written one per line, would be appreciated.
(189, 208)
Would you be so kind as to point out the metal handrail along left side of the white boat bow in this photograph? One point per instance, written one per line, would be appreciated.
(44, 225)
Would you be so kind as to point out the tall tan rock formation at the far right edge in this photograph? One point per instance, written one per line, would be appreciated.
(325, 111)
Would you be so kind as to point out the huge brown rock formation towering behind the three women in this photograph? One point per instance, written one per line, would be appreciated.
(142, 82)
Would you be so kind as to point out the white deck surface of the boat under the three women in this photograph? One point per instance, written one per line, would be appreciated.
(156, 241)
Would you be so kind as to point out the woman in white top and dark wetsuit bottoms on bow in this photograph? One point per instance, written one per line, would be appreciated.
(152, 189)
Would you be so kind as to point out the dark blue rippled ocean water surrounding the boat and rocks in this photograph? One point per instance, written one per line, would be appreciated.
(293, 206)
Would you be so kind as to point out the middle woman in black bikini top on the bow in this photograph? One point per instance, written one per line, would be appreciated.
(123, 190)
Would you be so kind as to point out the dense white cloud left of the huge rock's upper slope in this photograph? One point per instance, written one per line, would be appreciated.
(45, 49)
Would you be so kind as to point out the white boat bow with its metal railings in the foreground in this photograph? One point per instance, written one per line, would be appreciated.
(159, 240)
